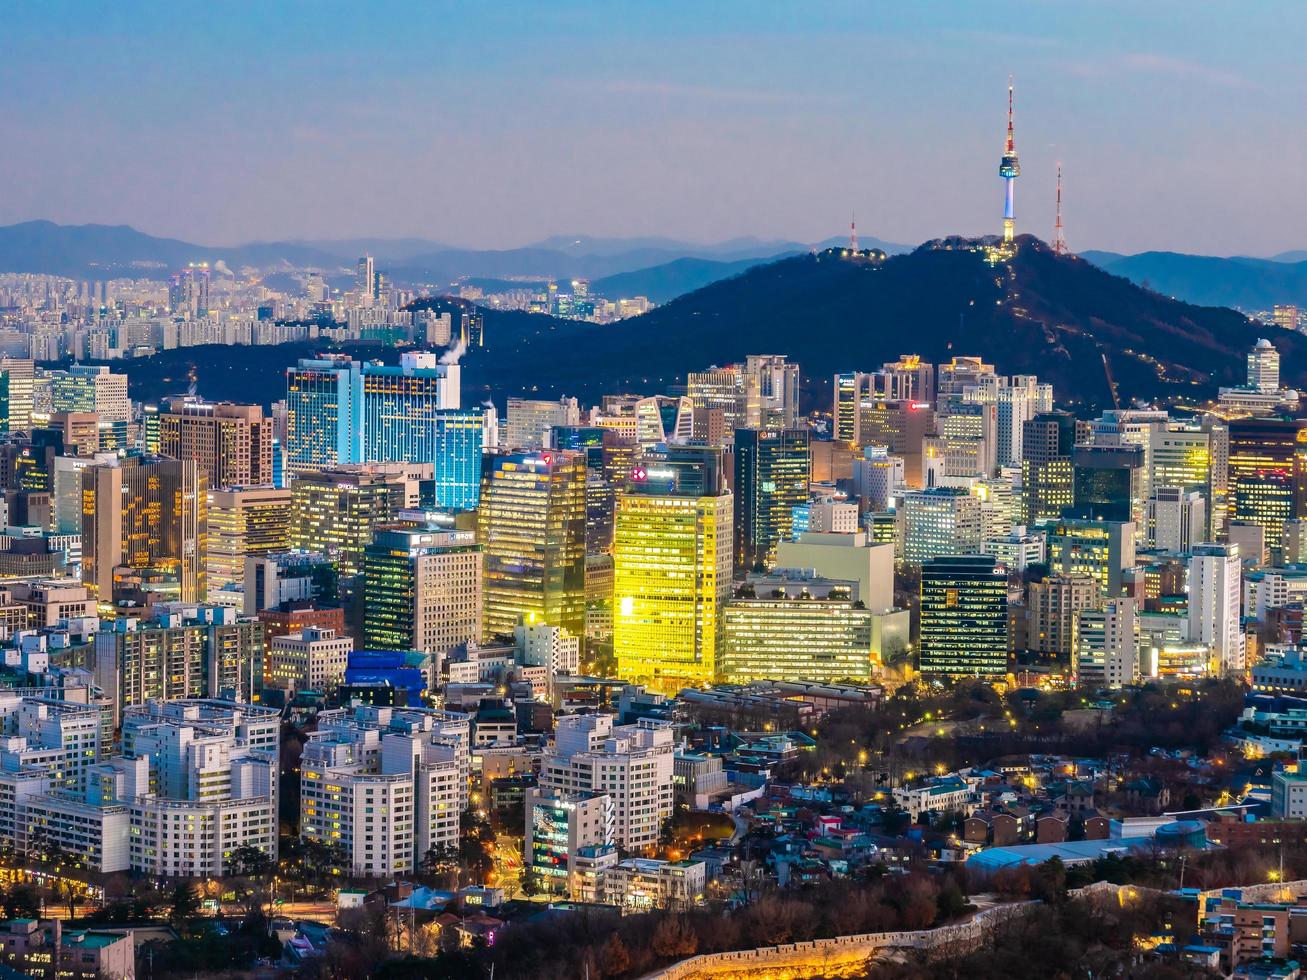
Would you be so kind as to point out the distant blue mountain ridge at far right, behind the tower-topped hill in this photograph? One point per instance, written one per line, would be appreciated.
(1248, 284)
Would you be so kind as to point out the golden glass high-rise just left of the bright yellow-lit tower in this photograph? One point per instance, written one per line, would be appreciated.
(533, 527)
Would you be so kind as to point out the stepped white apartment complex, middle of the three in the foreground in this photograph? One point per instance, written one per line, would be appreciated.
(385, 785)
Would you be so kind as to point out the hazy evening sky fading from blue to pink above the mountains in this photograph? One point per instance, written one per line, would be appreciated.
(1181, 125)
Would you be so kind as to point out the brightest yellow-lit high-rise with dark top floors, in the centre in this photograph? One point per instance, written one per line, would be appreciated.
(672, 566)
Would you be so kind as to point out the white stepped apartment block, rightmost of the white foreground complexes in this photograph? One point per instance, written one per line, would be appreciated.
(631, 764)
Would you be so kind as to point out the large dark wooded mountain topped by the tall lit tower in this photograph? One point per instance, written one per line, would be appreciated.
(1038, 313)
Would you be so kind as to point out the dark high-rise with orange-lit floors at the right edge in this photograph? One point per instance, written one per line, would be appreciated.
(1268, 472)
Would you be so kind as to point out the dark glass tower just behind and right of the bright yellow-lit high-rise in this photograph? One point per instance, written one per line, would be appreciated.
(772, 476)
